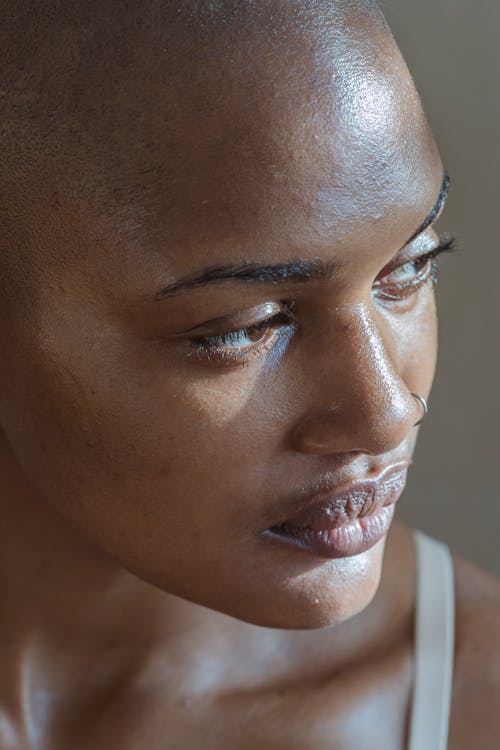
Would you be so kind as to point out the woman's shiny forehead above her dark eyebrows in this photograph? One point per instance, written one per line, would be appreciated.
(322, 139)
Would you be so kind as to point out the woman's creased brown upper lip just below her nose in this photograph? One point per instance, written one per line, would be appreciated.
(339, 504)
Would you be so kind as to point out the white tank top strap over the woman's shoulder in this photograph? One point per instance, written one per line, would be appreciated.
(434, 645)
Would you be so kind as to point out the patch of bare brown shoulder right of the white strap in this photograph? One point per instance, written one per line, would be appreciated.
(475, 710)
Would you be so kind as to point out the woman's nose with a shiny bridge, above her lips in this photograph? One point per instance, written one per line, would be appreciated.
(362, 403)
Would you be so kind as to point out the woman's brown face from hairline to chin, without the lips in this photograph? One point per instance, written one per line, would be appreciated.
(174, 427)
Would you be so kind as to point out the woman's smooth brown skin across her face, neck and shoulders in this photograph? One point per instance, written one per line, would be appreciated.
(136, 477)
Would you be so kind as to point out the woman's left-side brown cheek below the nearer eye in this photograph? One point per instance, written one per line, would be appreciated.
(141, 454)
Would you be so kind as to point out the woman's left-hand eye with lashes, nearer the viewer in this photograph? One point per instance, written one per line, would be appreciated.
(236, 347)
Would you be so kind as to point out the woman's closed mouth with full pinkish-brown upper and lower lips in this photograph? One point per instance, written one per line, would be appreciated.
(348, 521)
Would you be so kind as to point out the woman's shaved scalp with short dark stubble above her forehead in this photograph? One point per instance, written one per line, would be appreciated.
(108, 104)
